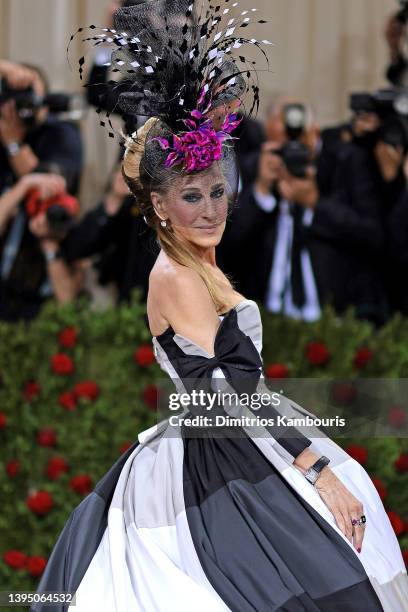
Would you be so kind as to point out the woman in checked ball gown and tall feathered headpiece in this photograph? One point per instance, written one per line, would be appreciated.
(194, 515)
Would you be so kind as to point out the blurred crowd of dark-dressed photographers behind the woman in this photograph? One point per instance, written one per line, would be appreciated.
(321, 216)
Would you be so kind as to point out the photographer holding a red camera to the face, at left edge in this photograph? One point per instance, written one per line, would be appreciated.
(31, 268)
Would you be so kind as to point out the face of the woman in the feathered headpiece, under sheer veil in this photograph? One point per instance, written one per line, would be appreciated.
(196, 206)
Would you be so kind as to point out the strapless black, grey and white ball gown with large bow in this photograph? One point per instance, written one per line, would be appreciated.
(223, 523)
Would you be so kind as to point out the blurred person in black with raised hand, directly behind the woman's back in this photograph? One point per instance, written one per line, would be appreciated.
(113, 231)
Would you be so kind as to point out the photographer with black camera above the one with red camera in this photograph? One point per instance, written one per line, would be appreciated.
(29, 134)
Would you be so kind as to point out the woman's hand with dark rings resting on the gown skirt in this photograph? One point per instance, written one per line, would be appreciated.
(342, 504)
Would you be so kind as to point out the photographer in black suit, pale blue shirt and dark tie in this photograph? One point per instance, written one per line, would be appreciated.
(269, 227)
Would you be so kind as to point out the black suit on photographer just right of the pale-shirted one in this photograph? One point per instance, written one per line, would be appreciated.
(350, 222)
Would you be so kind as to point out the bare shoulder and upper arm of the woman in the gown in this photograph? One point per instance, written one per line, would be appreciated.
(178, 297)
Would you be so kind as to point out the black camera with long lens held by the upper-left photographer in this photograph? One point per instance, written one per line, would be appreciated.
(70, 107)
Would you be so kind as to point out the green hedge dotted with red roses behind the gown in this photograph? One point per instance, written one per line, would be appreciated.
(77, 386)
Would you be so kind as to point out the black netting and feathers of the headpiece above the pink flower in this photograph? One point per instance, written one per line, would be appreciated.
(179, 57)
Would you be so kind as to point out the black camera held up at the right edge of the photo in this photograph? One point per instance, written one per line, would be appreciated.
(391, 106)
